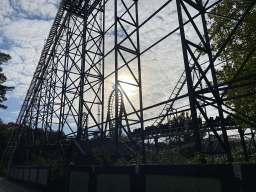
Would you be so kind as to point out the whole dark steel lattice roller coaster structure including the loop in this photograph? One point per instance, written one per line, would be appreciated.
(68, 88)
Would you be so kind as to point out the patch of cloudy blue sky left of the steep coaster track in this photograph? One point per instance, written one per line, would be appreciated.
(24, 26)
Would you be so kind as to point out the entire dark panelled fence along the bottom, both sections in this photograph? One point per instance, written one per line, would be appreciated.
(145, 178)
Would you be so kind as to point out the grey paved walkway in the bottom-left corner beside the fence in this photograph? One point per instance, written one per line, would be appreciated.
(7, 185)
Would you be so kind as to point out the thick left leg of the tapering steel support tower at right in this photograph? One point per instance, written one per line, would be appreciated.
(191, 91)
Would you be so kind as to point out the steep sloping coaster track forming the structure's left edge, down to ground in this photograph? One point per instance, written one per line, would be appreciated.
(33, 91)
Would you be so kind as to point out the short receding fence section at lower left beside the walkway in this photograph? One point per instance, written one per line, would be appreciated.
(35, 176)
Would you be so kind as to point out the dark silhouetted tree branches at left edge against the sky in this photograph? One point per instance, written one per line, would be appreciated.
(3, 89)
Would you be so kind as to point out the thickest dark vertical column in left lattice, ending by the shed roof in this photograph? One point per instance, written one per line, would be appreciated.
(81, 93)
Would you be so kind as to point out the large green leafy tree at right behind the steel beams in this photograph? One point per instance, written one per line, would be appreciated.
(224, 17)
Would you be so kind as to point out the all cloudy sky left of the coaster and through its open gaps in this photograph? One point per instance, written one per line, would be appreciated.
(25, 25)
